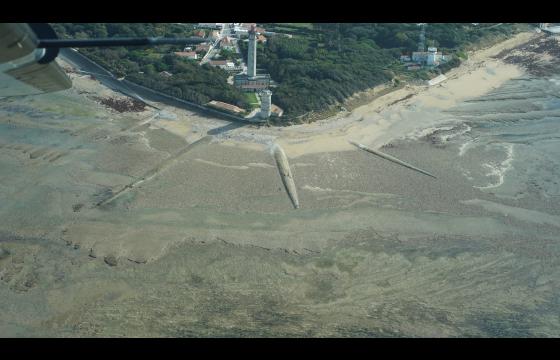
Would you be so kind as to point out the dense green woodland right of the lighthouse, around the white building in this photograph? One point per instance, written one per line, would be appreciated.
(325, 63)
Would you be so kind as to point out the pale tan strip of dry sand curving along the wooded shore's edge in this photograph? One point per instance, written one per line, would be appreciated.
(389, 116)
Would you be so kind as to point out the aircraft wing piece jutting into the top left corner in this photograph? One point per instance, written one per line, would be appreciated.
(24, 68)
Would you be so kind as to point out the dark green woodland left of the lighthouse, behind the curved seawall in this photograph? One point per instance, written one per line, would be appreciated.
(191, 82)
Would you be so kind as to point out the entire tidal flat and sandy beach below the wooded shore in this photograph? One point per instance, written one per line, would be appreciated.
(162, 222)
